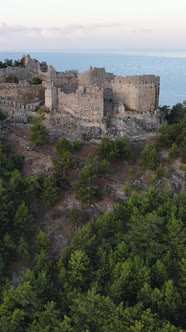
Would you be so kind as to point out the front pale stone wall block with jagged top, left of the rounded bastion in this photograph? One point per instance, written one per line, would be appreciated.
(85, 104)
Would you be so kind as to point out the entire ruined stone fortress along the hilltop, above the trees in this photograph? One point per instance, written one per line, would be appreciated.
(95, 103)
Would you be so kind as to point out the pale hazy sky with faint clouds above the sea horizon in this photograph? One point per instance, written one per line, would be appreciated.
(72, 24)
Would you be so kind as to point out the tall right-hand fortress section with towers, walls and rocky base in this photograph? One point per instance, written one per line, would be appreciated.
(118, 105)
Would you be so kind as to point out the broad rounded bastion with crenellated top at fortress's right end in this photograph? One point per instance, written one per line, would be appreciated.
(140, 93)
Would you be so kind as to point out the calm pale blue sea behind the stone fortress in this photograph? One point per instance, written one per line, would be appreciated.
(170, 65)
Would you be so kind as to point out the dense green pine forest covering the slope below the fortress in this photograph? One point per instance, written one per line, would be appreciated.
(124, 270)
